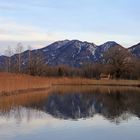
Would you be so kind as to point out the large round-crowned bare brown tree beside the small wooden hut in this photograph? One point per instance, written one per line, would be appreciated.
(120, 61)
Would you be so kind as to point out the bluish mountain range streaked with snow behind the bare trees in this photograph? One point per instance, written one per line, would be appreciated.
(72, 53)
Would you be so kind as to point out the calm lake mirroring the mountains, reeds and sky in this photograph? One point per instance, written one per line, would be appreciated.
(72, 113)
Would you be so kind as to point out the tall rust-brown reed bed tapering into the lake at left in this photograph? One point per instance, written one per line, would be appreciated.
(14, 82)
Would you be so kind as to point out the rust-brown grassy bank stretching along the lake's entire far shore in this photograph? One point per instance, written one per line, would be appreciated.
(20, 82)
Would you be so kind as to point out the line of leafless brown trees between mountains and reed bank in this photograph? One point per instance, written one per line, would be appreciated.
(117, 62)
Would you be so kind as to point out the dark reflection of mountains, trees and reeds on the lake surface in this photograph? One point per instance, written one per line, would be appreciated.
(114, 103)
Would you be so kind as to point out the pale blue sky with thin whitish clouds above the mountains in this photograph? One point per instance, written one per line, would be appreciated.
(37, 23)
